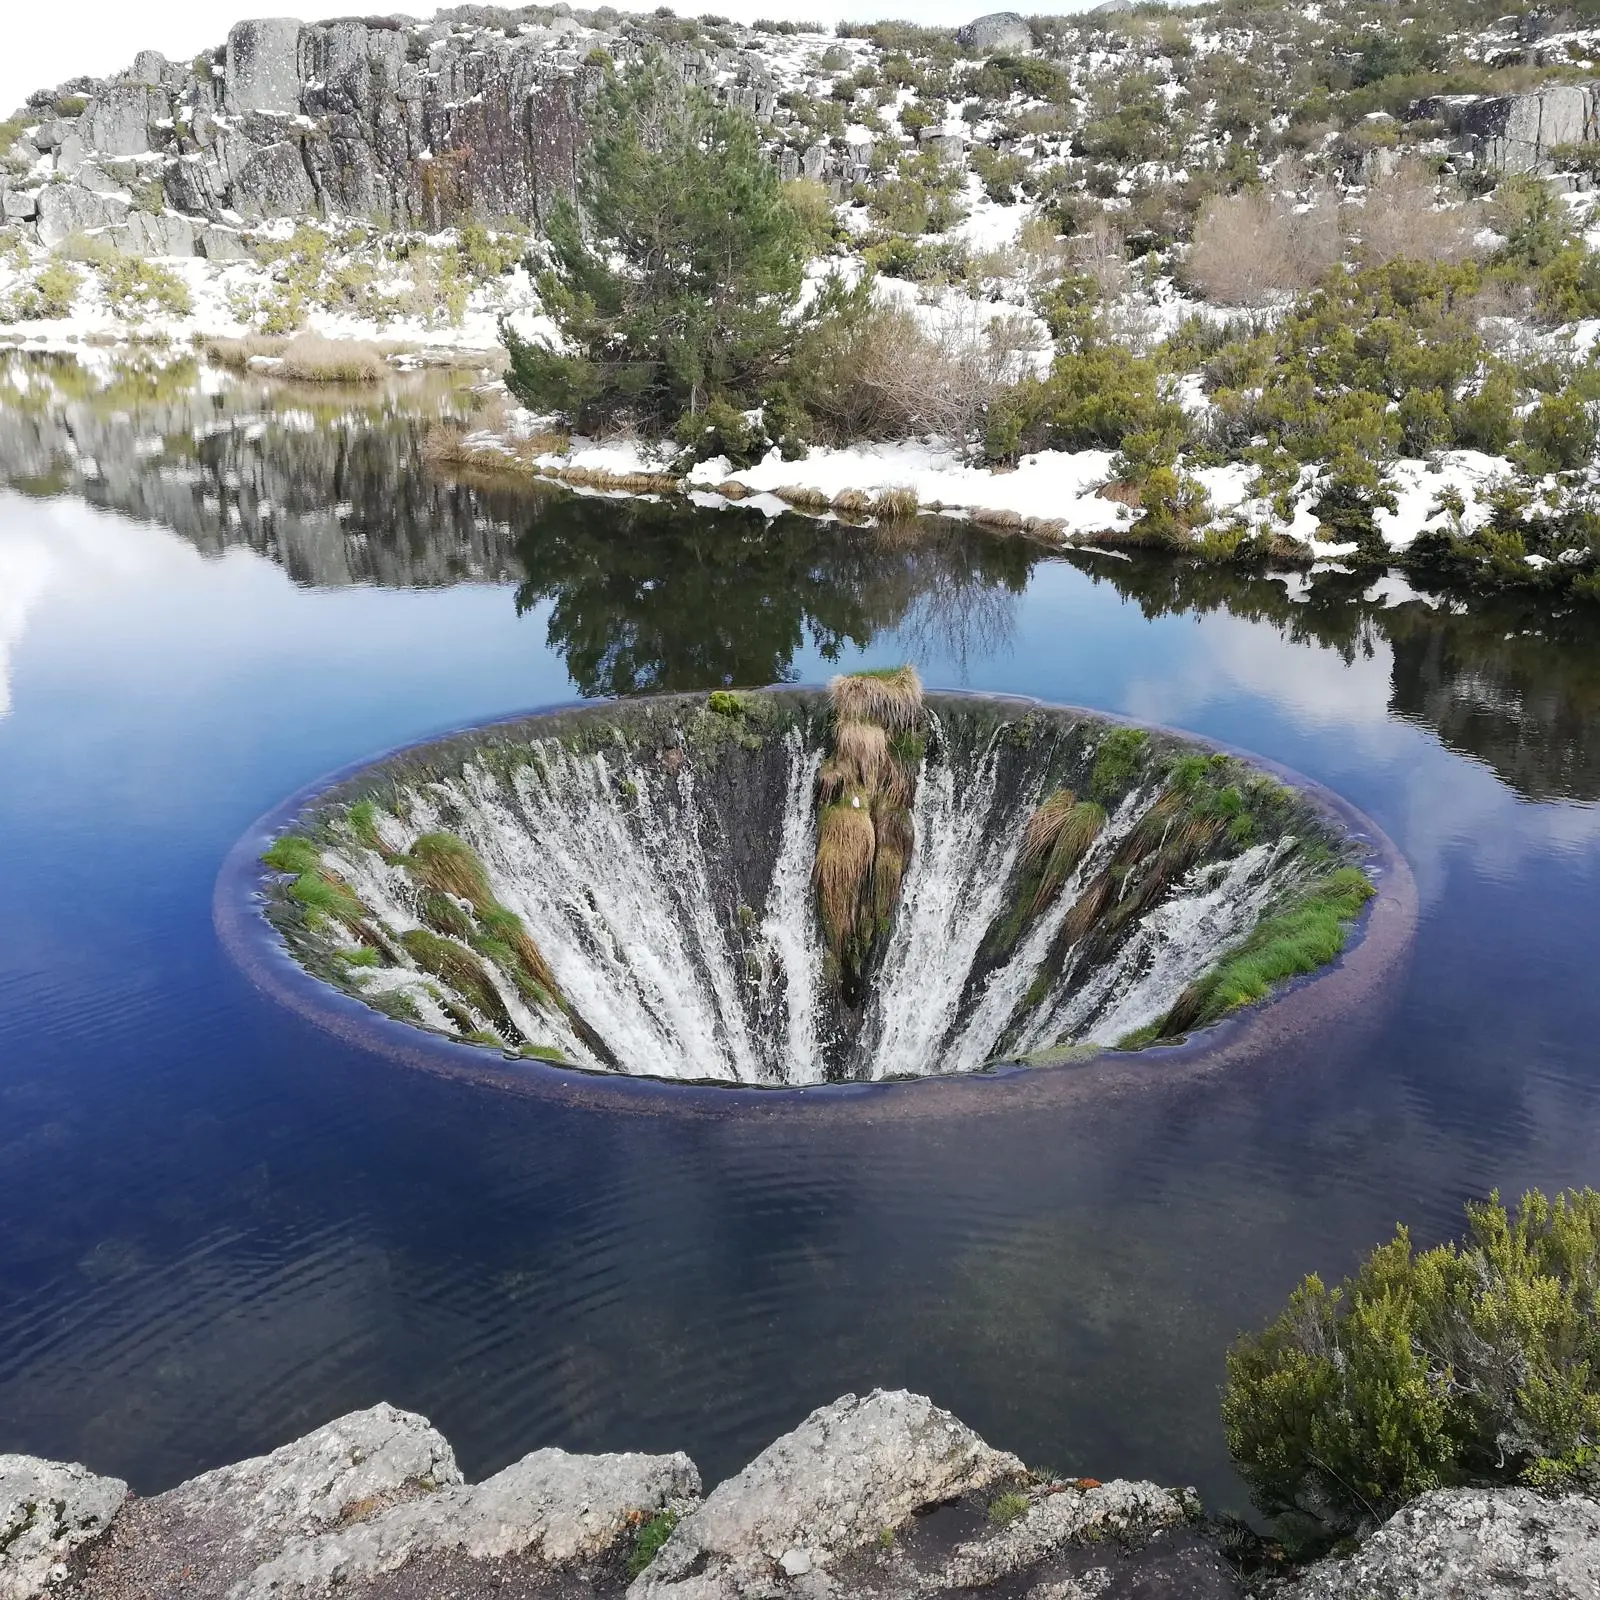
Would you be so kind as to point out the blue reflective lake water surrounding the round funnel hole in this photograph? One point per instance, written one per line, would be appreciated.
(223, 1226)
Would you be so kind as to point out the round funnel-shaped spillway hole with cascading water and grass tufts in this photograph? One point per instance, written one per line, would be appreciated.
(801, 887)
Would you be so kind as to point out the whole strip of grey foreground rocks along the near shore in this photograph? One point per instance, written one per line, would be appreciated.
(884, 1497)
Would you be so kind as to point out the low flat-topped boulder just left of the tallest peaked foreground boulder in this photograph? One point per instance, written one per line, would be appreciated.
(548, 1511)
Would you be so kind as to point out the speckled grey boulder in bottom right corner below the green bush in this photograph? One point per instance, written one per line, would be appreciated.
(1471, 1545)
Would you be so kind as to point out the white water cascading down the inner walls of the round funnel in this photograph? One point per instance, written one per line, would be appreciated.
(673, 902)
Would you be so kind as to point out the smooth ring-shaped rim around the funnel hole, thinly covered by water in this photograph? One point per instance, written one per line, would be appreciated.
(1354, 983)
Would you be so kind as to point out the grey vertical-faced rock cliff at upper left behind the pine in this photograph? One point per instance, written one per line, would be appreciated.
(473, 116)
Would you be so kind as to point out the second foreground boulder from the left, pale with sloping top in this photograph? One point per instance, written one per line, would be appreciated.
(204, 1537)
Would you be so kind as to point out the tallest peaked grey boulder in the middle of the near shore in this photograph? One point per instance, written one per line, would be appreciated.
(828, 1490)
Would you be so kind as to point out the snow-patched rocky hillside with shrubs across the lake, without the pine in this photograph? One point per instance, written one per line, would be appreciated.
(1252, 281)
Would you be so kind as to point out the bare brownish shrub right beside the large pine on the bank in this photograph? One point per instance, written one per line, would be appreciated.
(886, 375)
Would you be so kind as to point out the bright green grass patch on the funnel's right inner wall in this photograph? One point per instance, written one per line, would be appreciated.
(1298, 940)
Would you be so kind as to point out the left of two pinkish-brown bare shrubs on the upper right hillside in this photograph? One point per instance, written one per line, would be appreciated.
(1250, 249)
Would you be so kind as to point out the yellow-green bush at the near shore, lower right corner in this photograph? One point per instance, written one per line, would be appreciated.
(1478, 1362)
